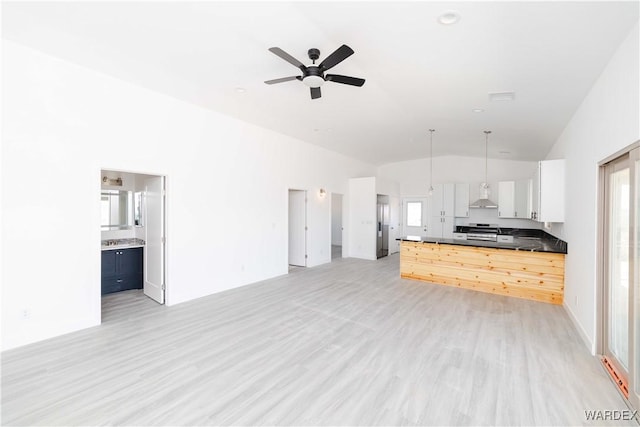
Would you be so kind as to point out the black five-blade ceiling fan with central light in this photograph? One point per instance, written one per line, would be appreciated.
(313, 75)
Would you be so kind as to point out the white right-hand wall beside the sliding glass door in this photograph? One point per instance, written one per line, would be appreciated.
(607, 121)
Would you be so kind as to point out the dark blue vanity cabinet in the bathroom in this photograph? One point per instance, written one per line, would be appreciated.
(121, 270)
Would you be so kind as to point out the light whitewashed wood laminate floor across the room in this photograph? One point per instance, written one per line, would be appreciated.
(346, 343)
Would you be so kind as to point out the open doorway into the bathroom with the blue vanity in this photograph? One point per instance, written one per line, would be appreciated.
(133, 230)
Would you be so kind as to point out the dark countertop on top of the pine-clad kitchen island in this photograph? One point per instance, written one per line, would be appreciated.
(522, 241)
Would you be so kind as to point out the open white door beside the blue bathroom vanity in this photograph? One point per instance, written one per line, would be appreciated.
(154, 281)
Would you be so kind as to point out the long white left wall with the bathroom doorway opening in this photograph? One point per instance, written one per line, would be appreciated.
(227, 191)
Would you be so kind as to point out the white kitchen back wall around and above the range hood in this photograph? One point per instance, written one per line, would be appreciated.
(413, 178)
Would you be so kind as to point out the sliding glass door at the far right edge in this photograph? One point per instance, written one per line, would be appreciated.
(619, 274)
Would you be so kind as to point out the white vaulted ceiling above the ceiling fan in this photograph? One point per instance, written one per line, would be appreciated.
(419, 73)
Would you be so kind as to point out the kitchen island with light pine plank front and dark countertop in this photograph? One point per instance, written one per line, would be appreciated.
(530, 268)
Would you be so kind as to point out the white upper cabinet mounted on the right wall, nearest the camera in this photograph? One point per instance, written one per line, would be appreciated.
(547, 200)
